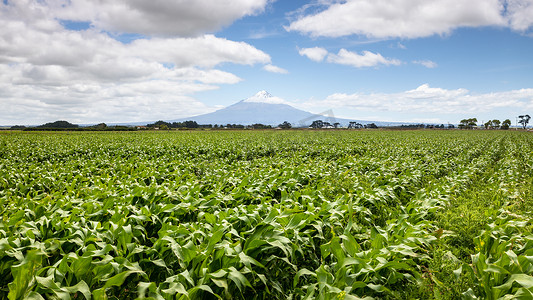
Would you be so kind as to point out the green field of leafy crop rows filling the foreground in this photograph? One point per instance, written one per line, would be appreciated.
(266, 214)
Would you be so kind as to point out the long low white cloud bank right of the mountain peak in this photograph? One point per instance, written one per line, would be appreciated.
(426, 99)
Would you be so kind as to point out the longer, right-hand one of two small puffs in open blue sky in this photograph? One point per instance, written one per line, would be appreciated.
(366, 59)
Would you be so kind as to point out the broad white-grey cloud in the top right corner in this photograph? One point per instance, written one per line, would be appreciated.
(412, 18)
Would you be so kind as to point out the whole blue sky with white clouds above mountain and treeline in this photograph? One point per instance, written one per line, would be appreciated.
(92, 61)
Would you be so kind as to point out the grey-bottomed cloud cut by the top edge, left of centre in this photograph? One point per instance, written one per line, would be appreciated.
(158, 17)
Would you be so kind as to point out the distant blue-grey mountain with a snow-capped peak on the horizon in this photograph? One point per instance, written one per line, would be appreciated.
(264, 108)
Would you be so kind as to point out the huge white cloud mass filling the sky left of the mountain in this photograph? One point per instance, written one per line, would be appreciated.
(48, 72)
